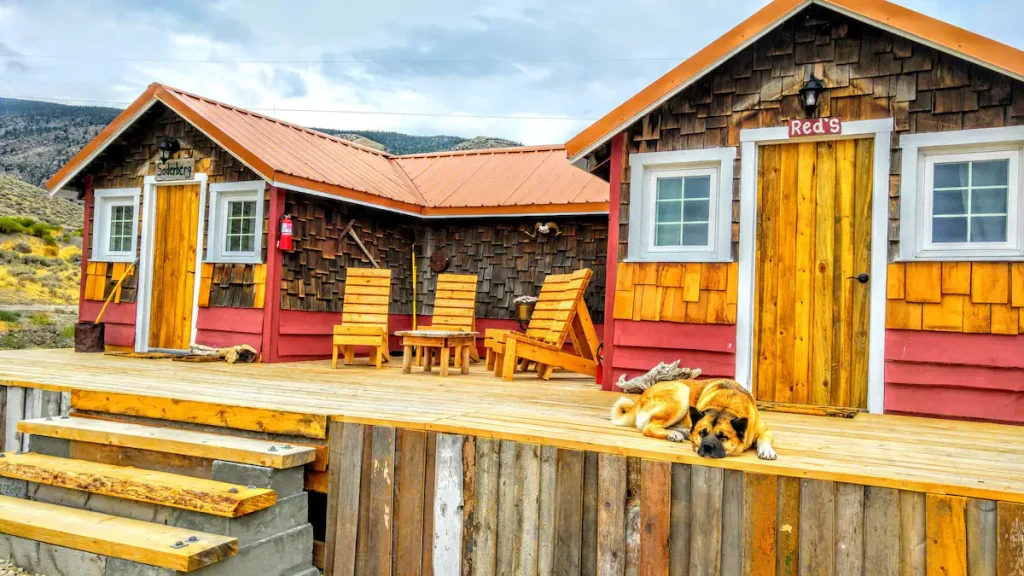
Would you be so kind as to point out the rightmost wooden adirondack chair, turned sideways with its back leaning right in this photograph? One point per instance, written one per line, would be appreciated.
(561, 313)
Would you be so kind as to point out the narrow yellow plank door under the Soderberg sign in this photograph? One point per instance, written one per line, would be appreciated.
(176, 229)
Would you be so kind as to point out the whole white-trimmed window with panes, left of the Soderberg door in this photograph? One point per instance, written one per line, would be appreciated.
(115, 225)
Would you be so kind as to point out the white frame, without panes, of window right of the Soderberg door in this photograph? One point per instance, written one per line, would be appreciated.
(221, 196)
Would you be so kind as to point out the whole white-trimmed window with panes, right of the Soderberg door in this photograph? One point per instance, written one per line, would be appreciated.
(236, 233)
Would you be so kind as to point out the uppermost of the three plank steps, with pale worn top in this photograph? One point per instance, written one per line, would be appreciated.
(188, 443)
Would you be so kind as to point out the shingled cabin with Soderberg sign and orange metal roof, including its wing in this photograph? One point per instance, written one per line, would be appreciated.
(195, 191)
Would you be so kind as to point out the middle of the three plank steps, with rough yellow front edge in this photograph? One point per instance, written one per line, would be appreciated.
(185, 492)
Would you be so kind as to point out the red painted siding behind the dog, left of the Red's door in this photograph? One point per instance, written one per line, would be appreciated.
(641, 346)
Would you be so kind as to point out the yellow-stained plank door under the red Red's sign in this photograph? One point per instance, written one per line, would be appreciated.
(815, 235)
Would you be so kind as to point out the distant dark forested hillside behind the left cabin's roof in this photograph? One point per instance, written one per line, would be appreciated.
(37, 138)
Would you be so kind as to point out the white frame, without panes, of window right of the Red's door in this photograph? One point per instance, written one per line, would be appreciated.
(921, 154)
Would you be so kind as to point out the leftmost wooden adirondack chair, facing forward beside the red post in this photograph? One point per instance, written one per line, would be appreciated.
(364, 316)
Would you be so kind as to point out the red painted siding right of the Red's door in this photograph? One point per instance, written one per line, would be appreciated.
(945, 375)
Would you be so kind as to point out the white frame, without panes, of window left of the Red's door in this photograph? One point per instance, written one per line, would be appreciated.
(648, 169)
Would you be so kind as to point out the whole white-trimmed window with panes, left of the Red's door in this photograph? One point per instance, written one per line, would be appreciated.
(681, 207)
